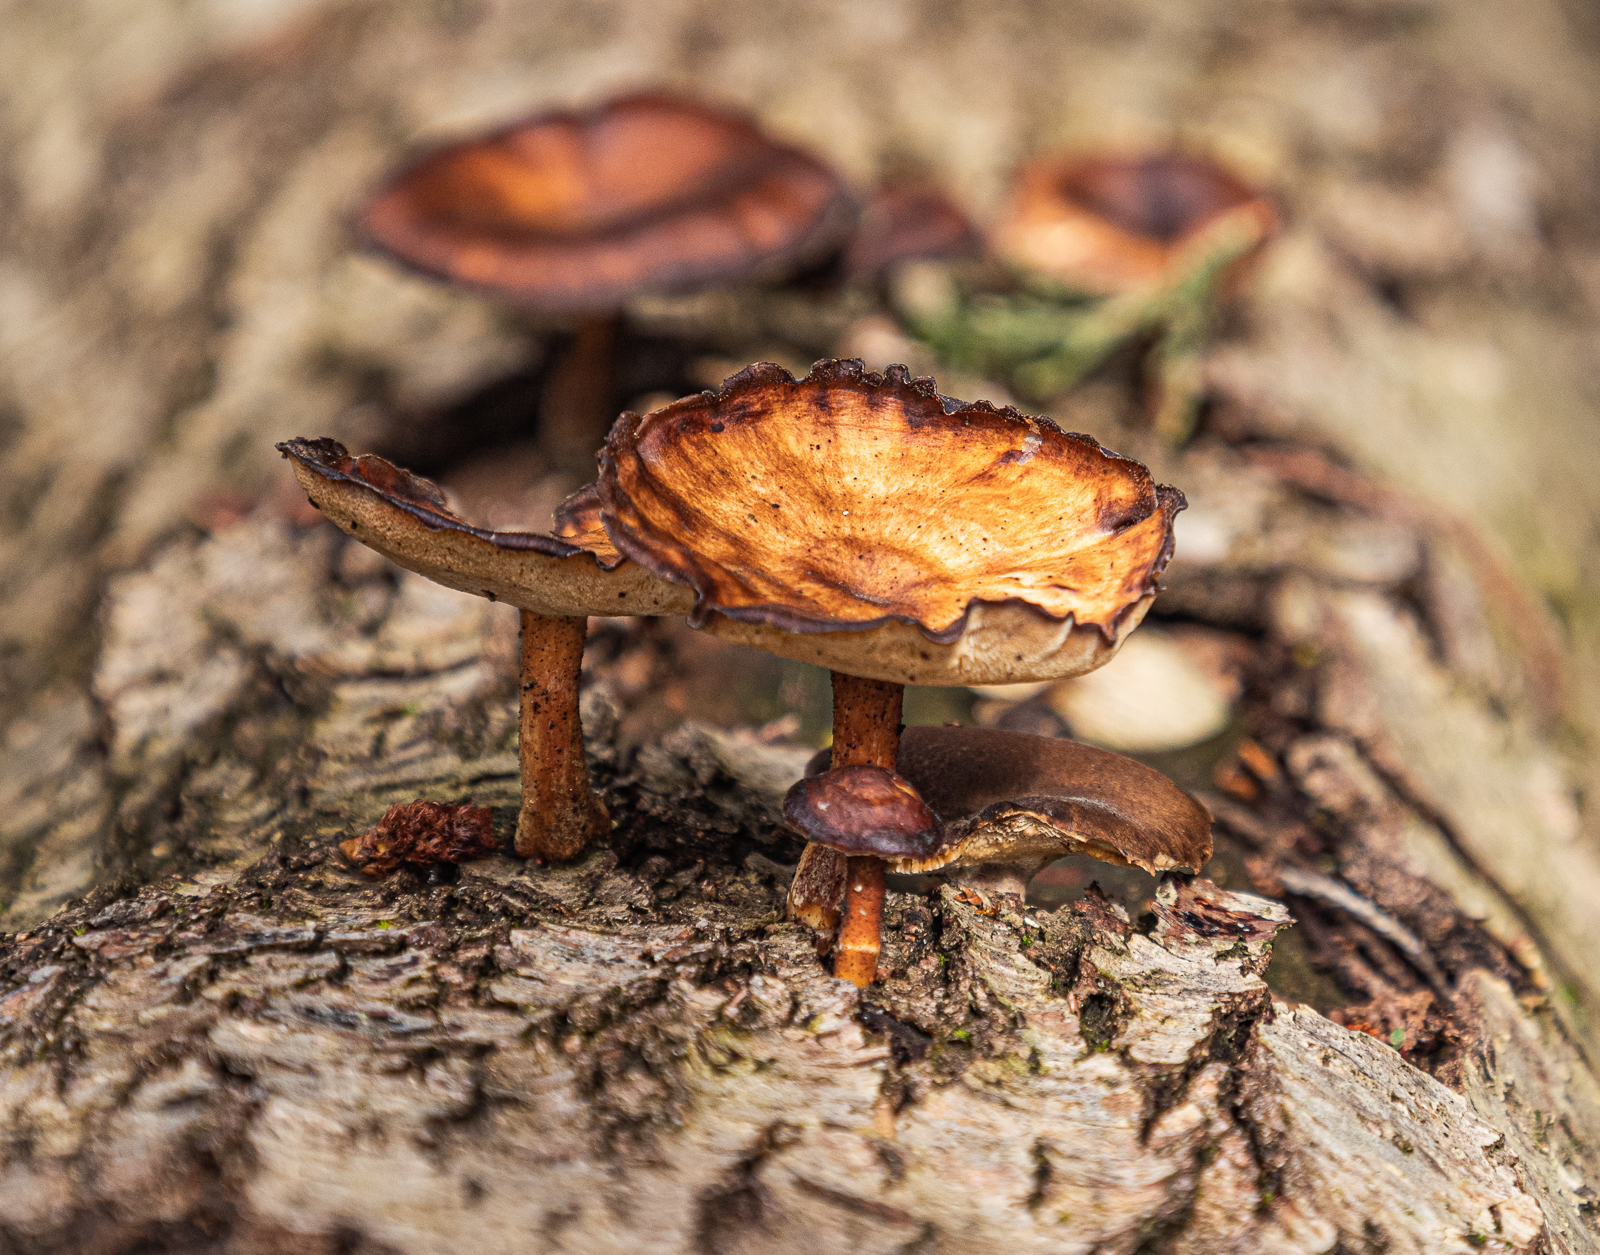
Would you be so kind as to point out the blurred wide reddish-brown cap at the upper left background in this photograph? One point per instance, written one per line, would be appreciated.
(582, 212)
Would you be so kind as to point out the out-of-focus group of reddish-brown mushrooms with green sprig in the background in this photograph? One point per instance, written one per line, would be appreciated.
(577, 215)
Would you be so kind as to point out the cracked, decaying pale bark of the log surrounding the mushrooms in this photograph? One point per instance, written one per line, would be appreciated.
(215, 1036)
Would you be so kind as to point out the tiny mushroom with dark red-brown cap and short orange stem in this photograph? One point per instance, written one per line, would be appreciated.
(866, 816)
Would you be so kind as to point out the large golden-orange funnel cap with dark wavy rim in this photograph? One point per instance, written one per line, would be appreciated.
(868, 524)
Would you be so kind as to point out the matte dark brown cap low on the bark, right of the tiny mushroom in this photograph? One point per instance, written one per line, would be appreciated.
(1012, 798)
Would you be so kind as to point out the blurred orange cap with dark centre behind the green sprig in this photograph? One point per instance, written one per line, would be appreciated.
(1113, 223)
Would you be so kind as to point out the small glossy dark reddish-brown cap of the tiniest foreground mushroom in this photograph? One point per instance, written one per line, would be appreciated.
(863, 811)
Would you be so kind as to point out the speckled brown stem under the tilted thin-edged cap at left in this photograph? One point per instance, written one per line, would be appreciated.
(561, 816)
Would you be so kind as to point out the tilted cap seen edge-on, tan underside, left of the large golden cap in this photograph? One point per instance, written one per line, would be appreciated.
(407, 519)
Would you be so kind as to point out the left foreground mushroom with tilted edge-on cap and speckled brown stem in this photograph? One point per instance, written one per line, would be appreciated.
(554, 580)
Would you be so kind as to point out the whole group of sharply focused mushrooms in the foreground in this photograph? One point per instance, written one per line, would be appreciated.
(862, 523)
